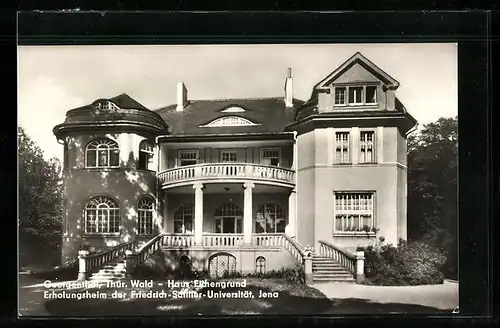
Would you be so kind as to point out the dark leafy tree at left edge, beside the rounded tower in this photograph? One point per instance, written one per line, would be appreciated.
(40, 200)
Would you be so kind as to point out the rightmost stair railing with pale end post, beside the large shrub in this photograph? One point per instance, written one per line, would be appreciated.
(352, 262)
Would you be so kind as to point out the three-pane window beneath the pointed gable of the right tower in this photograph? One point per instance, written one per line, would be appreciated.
(356, 95)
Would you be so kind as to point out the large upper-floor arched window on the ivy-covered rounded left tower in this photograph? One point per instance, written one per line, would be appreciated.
(102, 153)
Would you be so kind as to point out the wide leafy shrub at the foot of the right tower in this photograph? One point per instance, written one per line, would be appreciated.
(413, 263)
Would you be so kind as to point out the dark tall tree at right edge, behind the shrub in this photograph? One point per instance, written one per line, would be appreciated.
(432, 187)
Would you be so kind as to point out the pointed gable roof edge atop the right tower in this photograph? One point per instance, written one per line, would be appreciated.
(358, 58)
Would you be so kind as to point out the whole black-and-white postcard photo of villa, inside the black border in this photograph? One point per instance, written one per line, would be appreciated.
(238, 179)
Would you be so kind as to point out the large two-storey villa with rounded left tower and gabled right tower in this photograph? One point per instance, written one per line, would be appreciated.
(232, 174)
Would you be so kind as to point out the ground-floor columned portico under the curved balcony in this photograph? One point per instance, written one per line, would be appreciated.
(240, 210)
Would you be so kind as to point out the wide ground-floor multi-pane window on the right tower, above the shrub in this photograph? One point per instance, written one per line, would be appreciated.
(359, 213)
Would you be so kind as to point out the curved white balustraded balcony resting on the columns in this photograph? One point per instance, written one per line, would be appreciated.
(227, 172)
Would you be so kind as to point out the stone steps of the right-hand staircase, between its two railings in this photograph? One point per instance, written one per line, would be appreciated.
(327, 270)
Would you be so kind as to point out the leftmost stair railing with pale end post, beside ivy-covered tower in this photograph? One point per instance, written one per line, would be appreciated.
(90, 262)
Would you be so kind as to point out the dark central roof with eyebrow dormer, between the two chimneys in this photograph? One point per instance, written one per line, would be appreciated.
(269, 114)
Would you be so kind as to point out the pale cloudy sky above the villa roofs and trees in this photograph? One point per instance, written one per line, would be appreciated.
(55, 79)
